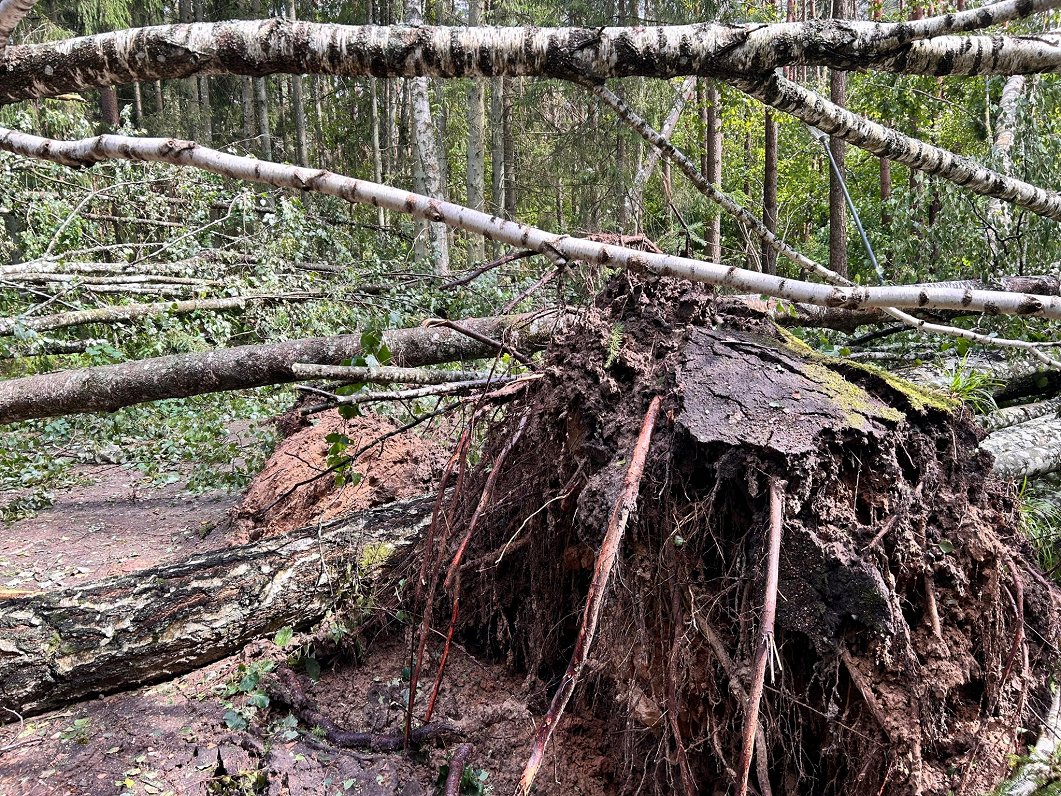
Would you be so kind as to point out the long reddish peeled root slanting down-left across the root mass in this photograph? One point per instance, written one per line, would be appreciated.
(595, 600)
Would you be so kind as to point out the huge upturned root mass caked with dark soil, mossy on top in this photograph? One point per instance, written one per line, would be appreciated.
(913, 638)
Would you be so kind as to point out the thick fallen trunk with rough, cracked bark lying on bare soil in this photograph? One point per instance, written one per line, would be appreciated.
(62, 647)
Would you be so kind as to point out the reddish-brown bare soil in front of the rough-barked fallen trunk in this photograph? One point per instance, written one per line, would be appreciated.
(172, 739)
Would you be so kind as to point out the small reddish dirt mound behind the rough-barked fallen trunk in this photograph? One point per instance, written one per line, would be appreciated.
(295, 489)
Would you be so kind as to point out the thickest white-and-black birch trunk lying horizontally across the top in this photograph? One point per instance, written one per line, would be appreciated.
(725, 51)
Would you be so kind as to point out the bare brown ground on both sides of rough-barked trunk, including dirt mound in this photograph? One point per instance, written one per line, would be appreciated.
(172, 738)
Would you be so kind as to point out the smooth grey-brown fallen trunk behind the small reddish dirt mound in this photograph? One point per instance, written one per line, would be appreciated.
(110, 388)
